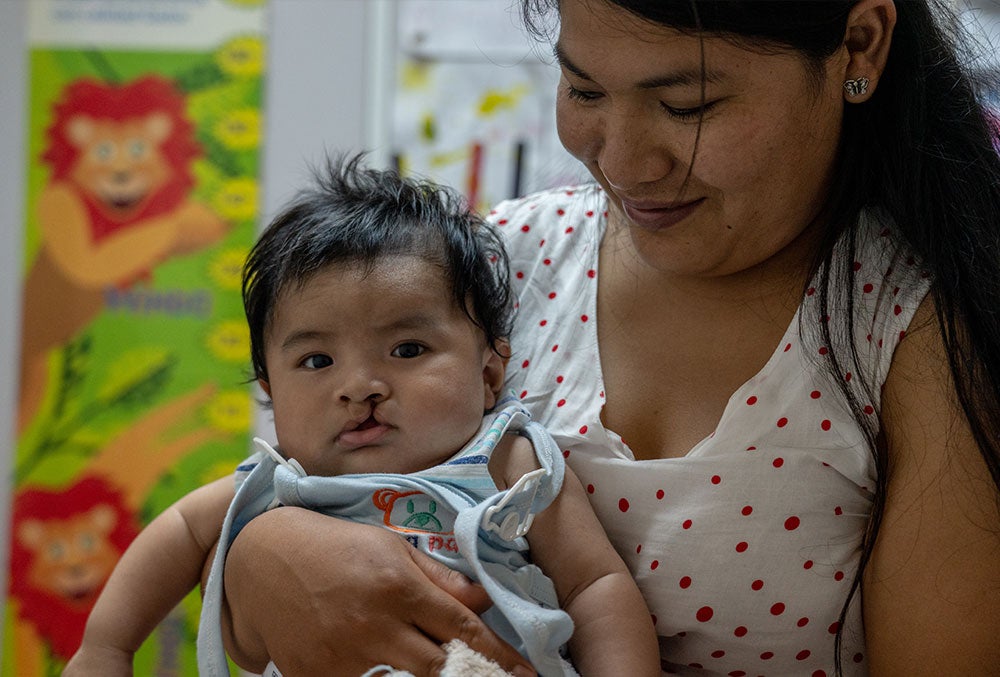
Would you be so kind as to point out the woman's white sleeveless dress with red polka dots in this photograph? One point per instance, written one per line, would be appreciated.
(746, 547)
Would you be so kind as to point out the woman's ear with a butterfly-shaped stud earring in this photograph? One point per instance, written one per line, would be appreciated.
(867, 41)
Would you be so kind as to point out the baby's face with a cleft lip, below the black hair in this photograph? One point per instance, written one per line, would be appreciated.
(377, 372)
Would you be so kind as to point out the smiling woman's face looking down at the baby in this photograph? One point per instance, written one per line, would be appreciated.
(628, 108)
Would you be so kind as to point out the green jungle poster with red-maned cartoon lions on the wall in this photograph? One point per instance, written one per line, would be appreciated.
(145, 121)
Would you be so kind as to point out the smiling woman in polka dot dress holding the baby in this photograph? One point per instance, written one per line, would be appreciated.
(791, 267)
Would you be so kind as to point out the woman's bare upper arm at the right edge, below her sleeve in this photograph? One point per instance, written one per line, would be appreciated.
(932, 590)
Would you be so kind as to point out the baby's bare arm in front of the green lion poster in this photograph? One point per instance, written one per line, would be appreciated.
(158, 569)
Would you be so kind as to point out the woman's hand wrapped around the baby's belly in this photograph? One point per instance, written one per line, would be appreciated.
(322, 596)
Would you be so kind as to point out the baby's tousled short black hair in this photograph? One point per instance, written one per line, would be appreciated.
(358, 215)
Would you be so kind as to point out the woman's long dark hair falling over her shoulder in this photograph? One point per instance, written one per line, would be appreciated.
(923, 153)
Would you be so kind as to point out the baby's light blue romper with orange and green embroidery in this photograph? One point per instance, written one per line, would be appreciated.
(453, 512)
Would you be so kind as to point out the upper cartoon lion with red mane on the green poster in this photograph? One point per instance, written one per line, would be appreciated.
(116, 205)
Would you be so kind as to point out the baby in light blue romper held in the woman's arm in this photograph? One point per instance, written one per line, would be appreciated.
(378, 310)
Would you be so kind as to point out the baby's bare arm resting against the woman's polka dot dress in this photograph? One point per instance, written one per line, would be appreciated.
(613, 632)
